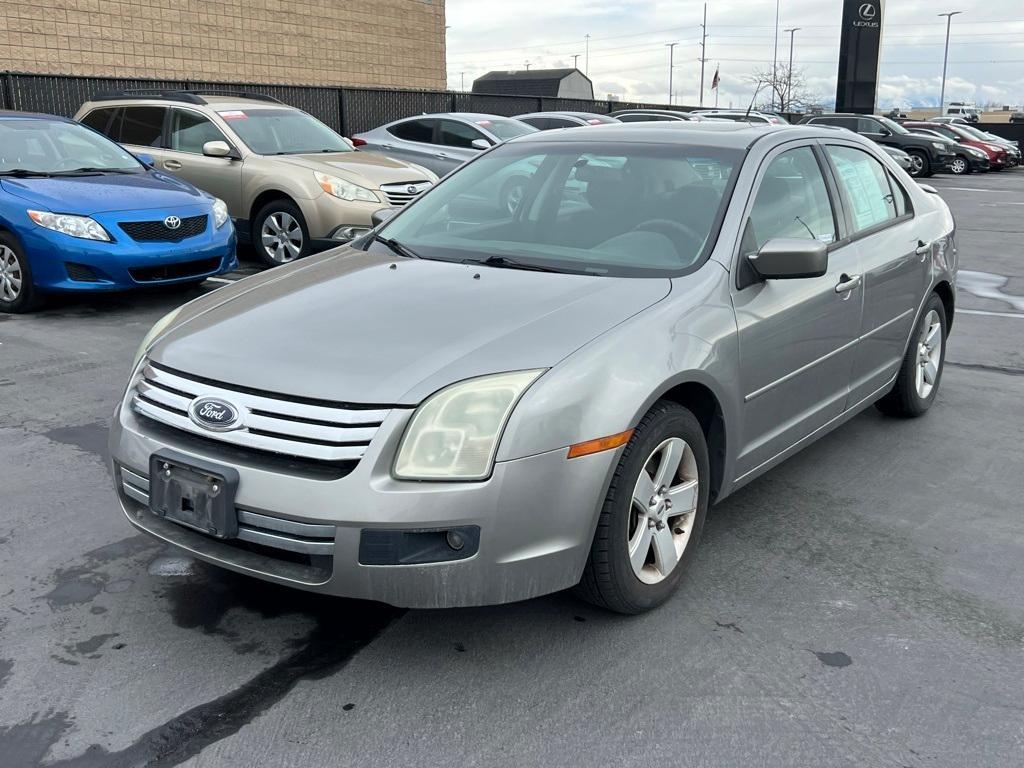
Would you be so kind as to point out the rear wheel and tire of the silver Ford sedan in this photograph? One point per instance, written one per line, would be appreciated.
(916, 391)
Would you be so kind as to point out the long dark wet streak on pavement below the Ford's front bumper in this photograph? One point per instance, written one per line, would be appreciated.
(343, 629)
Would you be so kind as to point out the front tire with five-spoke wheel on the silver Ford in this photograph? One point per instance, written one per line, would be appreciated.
(611, 579)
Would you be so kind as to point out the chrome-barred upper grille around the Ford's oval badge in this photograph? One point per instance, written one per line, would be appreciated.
(270, 423)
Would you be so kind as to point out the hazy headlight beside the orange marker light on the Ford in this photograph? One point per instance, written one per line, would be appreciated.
(454, 434)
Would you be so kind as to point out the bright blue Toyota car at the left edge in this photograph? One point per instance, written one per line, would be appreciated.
(80, 214)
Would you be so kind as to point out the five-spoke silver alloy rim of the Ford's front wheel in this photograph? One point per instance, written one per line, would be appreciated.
(664, 510)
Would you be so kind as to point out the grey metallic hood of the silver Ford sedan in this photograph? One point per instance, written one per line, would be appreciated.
(356, 327)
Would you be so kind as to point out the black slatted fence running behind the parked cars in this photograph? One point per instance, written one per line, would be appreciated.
(347, 110)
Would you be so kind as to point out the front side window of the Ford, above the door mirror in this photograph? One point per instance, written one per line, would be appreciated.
(792, 202)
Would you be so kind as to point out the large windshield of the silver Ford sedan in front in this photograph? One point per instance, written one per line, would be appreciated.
(633, 210)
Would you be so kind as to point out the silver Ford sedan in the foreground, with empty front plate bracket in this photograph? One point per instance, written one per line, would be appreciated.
(550, 396)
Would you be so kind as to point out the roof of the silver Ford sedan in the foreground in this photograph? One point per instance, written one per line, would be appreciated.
(729, 135)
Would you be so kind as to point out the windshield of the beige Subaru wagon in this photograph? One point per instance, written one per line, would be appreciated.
(283, 132)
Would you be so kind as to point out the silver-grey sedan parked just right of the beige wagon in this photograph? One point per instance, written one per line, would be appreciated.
(444, 142)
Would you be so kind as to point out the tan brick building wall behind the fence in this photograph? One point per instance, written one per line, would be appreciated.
(394, 44)
